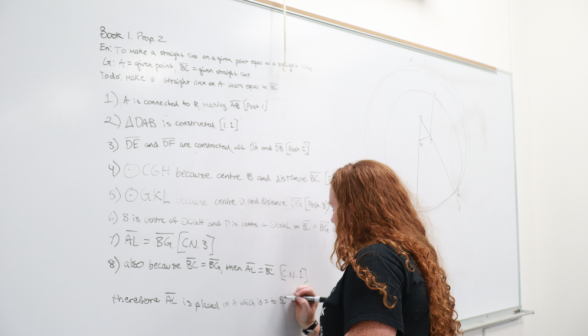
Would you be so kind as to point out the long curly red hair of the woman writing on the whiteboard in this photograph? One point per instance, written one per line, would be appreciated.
(375, 207)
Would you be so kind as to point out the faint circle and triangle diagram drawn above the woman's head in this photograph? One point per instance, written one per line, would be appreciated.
(415, 124)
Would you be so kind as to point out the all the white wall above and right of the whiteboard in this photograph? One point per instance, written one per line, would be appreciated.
(550, 70)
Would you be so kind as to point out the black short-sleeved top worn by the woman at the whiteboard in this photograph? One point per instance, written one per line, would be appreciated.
(351, 301)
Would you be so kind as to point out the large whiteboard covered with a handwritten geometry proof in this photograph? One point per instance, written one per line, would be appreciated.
(163, 171)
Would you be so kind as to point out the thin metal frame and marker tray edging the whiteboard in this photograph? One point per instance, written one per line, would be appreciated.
(481, 321)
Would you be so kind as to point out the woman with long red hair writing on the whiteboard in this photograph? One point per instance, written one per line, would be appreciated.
(393, 283)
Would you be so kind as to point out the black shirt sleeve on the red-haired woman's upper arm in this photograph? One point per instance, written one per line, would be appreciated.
(363, 304)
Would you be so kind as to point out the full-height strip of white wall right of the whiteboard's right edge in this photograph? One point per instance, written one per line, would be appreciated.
(550, 71)
